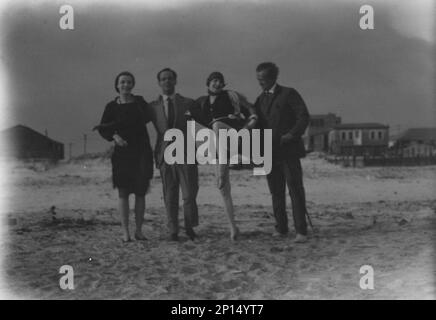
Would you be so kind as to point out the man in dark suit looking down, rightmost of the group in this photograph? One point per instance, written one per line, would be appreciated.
(282, 110)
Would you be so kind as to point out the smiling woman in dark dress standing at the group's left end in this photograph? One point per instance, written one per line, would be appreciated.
(123, 122)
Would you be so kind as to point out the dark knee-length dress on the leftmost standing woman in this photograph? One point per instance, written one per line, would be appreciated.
(132, 165)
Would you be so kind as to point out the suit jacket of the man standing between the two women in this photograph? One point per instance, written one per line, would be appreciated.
(157, 115)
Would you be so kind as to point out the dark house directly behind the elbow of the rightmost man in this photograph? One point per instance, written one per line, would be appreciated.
(316, 135)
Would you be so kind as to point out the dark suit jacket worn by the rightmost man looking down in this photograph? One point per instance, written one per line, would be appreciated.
(286, 114)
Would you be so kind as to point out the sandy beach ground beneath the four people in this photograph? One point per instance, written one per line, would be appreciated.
(382, 217)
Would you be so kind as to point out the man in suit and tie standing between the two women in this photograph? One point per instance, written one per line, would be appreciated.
(168, 112)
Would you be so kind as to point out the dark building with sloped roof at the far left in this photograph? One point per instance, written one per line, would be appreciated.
(22, 142)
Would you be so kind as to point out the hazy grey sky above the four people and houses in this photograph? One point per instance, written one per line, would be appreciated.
(61, 80)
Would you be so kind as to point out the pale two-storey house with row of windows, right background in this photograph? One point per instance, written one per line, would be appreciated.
(359, 139)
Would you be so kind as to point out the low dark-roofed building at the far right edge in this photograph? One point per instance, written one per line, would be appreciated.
(416, 142)
